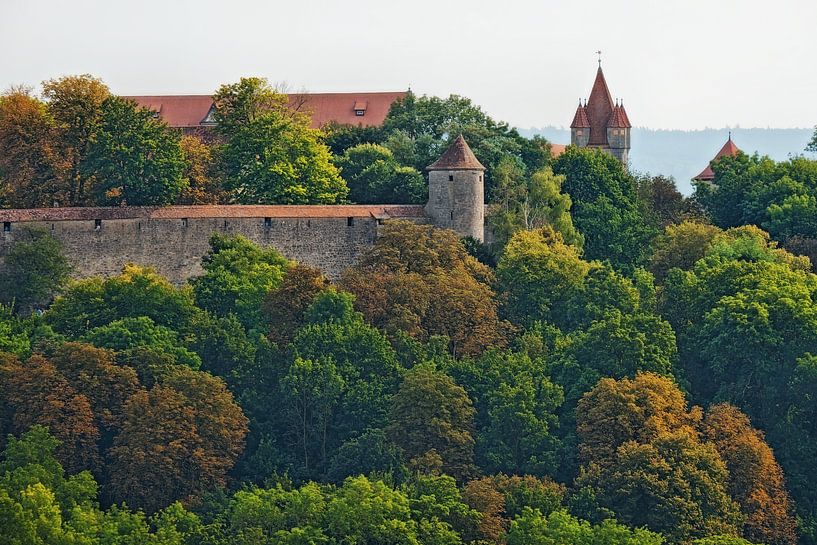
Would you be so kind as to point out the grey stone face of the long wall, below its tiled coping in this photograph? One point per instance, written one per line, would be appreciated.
(175, 246)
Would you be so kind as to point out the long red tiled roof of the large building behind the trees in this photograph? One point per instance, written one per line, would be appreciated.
(188, 111)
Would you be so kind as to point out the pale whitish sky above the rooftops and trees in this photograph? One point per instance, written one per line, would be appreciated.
(677, 64)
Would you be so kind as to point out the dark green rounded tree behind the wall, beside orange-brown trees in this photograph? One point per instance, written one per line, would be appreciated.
(135, 158)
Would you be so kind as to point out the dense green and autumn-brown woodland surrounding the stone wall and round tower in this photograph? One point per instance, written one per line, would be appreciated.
(624, 365)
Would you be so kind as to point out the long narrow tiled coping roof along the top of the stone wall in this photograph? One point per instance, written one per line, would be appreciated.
(214, 211)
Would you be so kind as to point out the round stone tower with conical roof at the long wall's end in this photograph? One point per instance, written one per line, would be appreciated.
(456, 191)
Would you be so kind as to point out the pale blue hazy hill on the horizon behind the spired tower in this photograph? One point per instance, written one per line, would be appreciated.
(683, 154)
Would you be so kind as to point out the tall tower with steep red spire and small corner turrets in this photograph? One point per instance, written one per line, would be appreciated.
(602, 122)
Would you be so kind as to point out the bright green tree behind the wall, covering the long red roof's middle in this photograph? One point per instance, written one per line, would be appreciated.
(270, 154)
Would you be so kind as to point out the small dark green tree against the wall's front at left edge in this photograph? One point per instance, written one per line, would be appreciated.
(34, 271)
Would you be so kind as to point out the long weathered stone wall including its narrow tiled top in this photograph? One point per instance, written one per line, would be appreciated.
(100, 241)
